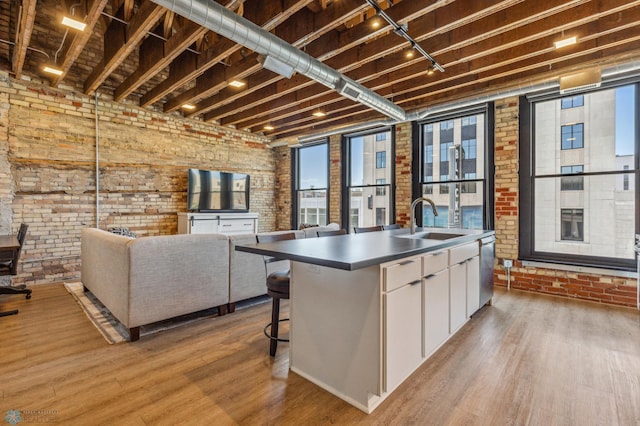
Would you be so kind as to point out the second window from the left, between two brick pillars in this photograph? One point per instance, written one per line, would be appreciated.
(367, 195)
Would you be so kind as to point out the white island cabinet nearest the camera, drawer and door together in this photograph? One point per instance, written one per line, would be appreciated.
(402, 305)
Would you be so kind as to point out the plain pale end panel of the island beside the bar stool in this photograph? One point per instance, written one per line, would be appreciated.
(336, 331)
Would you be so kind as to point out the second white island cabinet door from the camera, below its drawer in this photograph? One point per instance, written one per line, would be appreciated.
(436, 310)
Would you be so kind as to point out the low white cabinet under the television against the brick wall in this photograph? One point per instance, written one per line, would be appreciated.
(217, 223)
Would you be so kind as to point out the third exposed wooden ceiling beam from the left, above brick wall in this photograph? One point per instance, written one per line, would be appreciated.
(120, 41)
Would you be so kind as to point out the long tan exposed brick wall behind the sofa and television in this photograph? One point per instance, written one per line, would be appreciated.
(48, 139)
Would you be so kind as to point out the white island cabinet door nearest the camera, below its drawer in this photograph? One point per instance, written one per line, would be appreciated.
(403, 333)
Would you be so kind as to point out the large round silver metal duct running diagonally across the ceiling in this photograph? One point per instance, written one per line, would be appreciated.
(228, 24)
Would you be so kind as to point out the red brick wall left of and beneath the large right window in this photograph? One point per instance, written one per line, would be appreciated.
(588, 286)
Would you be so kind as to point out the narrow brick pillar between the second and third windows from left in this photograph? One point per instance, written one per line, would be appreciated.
(403, 173)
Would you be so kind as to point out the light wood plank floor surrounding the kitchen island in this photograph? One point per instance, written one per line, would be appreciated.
(528, 359)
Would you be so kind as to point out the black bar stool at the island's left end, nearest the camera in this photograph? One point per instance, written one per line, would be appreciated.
(278, 284)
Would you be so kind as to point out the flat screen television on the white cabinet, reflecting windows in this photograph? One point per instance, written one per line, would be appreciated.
(212, 191)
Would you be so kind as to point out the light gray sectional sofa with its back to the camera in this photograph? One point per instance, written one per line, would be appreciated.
(149, 279)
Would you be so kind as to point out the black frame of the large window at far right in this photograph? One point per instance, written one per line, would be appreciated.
(527, 189)
